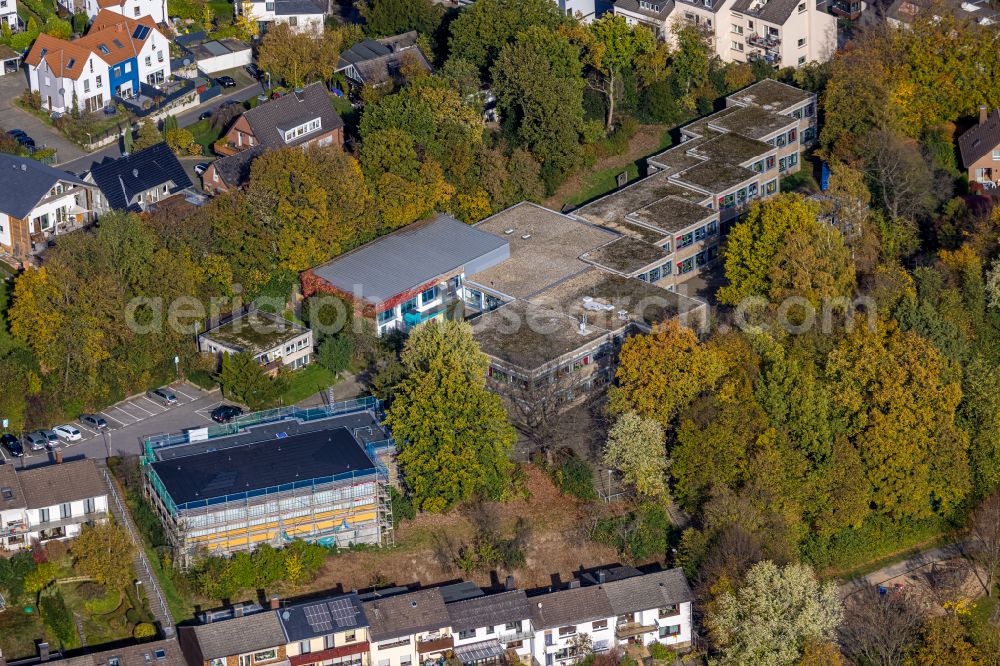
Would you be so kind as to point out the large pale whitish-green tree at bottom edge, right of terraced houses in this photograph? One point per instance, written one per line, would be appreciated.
(772, 616)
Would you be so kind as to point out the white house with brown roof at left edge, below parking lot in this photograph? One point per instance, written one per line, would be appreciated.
(50, 502)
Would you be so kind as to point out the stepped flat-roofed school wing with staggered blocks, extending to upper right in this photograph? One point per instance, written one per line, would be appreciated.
(698, 188)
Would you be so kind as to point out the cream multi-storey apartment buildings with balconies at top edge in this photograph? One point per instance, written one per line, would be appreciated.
(784, 33)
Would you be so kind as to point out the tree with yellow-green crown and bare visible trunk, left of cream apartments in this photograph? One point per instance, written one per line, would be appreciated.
(613, 48)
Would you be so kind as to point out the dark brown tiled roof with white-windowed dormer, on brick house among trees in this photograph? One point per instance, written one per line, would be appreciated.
(311, 102)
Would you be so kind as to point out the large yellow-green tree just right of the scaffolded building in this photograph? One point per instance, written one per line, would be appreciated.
(455, 435)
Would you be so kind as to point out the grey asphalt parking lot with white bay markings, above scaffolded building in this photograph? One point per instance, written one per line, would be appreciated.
(131, 421)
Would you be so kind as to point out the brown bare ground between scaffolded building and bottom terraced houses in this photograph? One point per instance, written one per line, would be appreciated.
(558, 544)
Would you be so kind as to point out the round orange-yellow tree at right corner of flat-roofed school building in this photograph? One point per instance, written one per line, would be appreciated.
(660, 373)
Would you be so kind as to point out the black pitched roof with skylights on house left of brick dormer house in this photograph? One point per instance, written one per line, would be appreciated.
(122, 179)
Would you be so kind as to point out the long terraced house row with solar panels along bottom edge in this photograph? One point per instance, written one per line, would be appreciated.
(457, 623)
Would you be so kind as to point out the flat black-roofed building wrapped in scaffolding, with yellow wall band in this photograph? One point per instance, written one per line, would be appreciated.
(318, 474)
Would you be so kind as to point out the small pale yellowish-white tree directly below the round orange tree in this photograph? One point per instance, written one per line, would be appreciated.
(636, 448)
